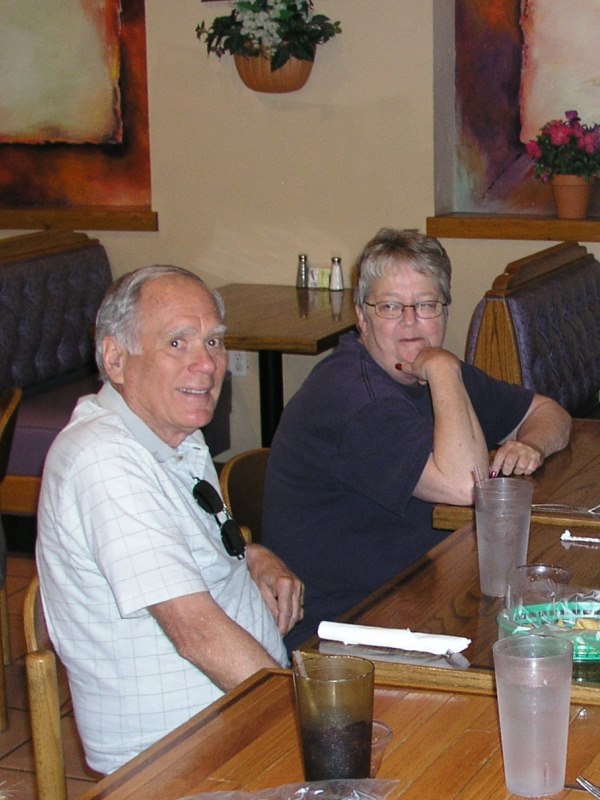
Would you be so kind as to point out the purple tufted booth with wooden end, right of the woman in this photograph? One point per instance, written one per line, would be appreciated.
(539, 326)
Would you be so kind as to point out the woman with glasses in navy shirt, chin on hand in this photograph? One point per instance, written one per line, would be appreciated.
(384, 427)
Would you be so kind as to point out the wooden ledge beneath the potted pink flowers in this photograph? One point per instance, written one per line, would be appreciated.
(497, 226)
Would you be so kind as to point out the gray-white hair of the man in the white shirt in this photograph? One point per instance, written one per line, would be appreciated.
(117, 315)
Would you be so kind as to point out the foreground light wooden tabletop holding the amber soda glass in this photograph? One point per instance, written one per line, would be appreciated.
(445, 745)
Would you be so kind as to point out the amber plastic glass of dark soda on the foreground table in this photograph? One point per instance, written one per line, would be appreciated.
(334, 701)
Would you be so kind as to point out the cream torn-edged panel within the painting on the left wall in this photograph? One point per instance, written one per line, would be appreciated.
(60, 64)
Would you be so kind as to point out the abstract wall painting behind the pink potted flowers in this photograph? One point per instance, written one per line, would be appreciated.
(518, 64)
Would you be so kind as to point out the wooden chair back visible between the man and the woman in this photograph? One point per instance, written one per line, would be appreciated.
(242, 482)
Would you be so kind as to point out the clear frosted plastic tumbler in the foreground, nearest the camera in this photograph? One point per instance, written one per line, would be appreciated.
(533, 683)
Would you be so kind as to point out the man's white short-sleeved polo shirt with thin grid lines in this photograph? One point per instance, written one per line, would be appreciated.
(118, 531)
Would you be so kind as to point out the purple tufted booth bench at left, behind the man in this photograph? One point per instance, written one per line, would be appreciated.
(51, 285)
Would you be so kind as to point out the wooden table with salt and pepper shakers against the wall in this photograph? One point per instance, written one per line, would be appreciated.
(273, 320)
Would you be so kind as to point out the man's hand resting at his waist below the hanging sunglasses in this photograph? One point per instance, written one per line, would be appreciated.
(281, 590)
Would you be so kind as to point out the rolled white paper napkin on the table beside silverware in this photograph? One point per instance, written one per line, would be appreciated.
(401, 638)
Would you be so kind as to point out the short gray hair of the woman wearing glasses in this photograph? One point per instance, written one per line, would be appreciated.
(389, 247)
